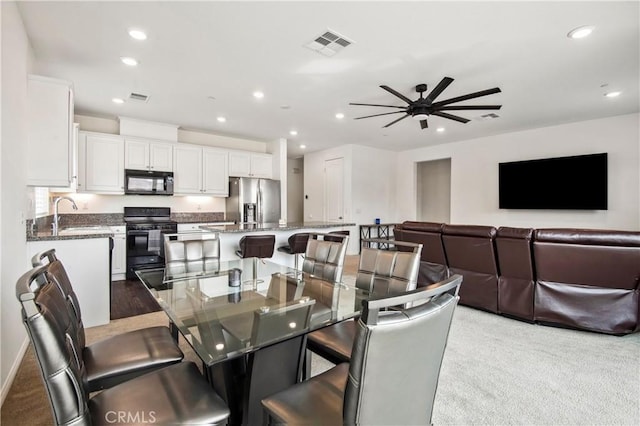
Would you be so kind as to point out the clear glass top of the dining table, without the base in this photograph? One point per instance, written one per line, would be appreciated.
(231, 308)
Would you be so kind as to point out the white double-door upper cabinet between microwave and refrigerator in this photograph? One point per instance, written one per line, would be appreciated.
(200, 170)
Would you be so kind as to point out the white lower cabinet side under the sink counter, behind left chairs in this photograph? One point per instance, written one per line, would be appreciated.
(86, 261)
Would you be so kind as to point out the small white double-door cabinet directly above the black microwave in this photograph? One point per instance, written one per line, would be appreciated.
(141, 154)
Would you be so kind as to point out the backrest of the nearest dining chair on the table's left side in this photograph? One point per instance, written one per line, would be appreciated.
(43, 312)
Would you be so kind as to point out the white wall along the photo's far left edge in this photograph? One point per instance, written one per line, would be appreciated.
(16, 63)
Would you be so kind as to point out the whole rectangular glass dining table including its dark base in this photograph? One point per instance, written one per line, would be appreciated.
(247, 322)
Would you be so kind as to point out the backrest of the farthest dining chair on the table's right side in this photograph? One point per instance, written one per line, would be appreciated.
(325, 259)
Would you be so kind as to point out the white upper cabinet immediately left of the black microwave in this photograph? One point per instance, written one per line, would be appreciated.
(100, 163)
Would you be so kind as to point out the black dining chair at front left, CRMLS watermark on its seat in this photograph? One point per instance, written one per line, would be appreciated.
(177, 394)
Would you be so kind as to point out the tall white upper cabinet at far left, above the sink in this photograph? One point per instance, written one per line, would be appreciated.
(49, 132)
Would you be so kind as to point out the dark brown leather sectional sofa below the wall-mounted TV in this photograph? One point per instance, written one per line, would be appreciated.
(579, 278)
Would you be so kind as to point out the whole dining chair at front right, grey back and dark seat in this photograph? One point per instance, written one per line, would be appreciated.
(394, 370)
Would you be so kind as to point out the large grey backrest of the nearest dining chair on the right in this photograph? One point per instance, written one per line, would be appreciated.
(397, 355)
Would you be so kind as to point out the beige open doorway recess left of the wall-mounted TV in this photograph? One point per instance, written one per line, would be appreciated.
(433, 188)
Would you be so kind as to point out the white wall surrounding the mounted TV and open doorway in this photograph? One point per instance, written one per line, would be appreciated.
(474, 174)
